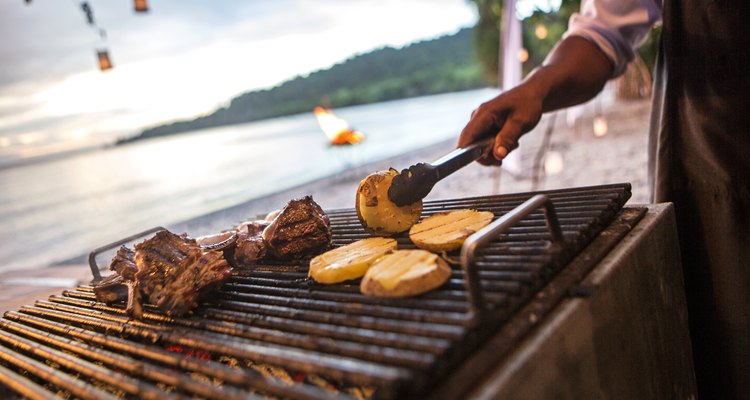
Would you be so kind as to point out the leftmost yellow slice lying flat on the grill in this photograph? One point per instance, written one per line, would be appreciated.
(350, 261)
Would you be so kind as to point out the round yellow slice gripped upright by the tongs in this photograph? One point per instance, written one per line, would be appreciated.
(377, 213)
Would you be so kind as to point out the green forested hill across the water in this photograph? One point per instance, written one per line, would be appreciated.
(445, 64)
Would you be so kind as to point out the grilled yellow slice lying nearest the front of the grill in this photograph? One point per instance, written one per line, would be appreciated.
(405, 273)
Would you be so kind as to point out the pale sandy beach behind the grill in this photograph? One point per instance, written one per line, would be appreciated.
(619, 156)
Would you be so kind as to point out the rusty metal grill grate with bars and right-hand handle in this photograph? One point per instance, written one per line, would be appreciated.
(270, 331)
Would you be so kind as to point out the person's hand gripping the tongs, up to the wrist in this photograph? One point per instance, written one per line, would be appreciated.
(507, 117)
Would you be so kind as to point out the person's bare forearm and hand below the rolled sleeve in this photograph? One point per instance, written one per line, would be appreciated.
(574, 72)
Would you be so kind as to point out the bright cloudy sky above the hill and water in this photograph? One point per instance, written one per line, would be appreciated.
(181, 59)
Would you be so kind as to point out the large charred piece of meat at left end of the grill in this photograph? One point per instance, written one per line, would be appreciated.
(173, 272)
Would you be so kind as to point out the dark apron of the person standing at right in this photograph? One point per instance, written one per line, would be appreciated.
(699, 158)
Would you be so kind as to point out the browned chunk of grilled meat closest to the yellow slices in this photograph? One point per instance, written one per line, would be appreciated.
(301, 229)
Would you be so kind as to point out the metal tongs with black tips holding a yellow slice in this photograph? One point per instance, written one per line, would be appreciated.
(415, 182)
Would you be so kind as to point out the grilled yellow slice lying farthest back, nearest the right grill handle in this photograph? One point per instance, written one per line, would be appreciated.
(448, 231)
